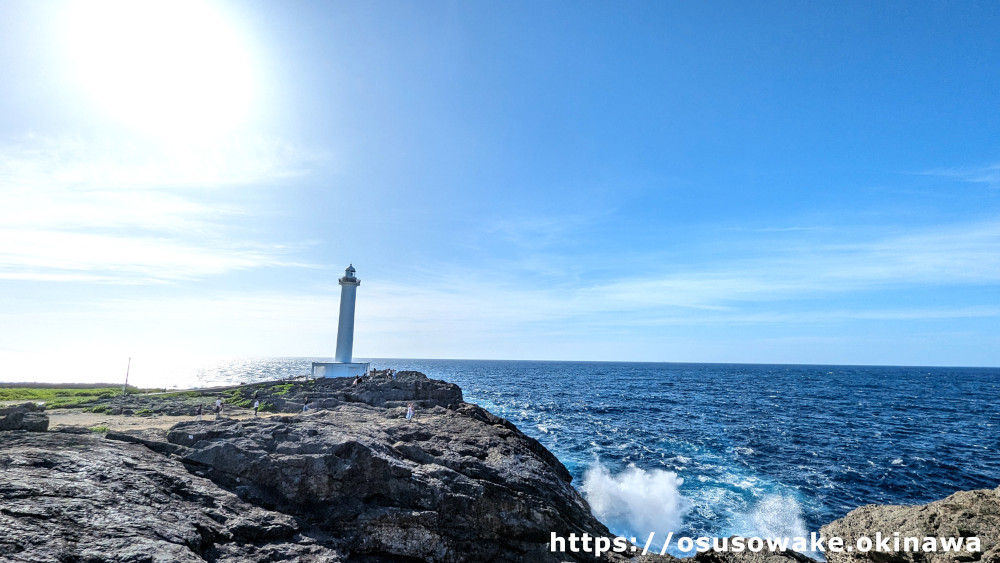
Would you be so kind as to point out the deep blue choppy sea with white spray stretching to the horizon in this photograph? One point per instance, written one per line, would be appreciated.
(721, 449)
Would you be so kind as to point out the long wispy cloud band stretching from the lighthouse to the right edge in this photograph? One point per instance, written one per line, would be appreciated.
(810, 282)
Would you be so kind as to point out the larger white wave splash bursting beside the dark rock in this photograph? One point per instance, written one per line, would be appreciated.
(638, 500)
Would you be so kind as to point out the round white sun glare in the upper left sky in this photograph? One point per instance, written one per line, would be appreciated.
(171, 68)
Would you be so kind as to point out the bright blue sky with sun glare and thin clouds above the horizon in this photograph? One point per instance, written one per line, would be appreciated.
(788, 182)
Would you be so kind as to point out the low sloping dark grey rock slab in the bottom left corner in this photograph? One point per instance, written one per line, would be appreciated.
(67, 497)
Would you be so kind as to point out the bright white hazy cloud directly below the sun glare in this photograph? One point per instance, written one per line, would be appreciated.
(117, 212)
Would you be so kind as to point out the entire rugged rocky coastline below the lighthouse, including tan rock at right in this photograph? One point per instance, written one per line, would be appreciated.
(350, 479)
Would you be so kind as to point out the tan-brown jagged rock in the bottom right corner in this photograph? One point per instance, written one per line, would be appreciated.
(964, 514)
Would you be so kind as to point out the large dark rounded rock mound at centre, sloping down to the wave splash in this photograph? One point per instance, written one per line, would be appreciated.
(451, 485)
